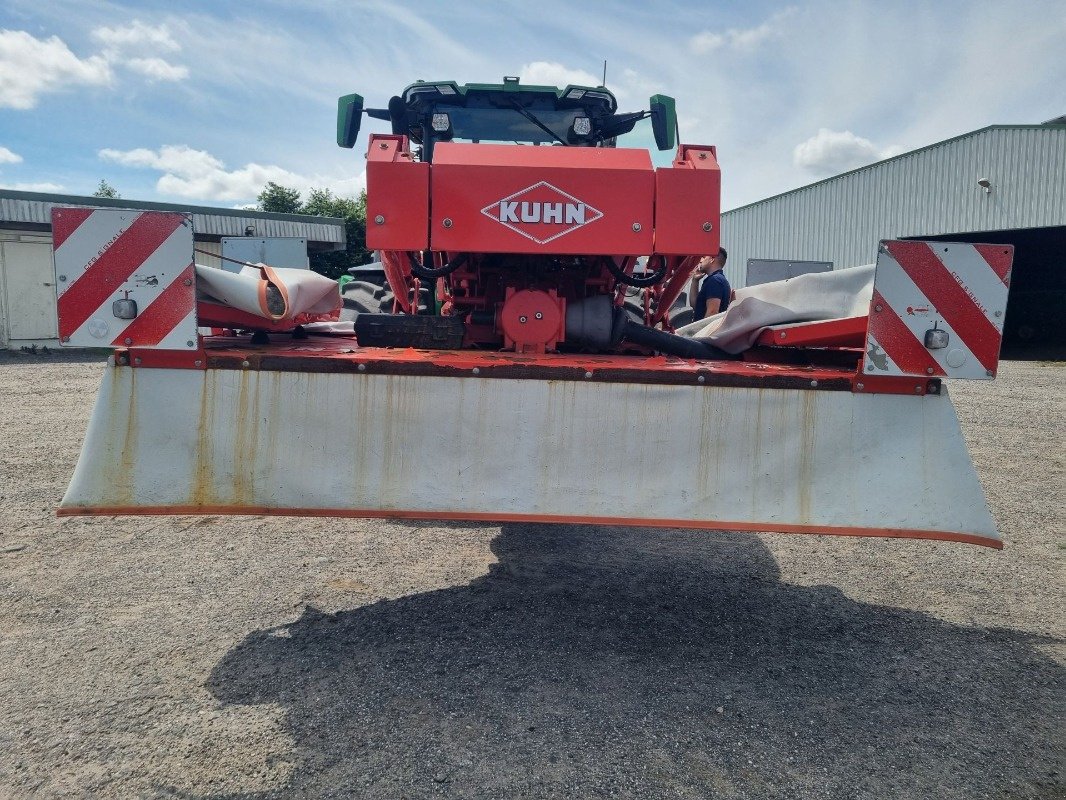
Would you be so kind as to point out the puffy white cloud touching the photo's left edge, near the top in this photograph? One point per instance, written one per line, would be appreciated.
(30, 67)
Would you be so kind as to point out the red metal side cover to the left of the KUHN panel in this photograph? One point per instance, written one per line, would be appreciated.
(398, 196)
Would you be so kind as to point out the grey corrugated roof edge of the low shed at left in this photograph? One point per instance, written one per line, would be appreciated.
(35, 209)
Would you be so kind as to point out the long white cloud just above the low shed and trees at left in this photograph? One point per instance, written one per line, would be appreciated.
(199, 175)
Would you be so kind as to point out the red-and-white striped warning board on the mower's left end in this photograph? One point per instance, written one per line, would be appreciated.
(125, 278)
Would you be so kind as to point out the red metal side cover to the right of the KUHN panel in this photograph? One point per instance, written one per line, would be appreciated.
(688, 204)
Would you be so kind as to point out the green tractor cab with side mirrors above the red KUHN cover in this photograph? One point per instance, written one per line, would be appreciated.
(507, 114)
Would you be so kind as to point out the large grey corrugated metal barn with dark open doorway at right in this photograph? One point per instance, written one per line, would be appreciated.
(934, 193)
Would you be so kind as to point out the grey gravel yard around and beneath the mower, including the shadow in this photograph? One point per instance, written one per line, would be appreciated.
(272, 658)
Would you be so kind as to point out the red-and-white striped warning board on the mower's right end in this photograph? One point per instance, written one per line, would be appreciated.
(938, 309)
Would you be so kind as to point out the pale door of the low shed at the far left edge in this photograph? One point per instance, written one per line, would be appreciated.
(30, 284)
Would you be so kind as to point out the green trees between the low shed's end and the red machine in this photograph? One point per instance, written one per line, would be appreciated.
(325, 203)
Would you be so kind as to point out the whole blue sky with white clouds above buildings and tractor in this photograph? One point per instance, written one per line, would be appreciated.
(205, 102)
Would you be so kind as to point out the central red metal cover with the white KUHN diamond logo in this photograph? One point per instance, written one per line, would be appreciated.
(509, 199)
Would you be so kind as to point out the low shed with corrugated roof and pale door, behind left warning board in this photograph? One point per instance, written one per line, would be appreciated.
(27, 276)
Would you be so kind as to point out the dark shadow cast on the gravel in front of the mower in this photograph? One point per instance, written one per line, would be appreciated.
(631, 663)
